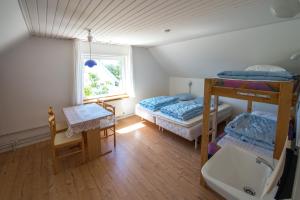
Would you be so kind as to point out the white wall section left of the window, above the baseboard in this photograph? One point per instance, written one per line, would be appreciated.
(34, 74)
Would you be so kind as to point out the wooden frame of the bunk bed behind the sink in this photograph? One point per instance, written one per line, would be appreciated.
(281, 93)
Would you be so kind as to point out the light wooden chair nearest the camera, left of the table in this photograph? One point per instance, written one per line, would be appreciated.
(63, 146)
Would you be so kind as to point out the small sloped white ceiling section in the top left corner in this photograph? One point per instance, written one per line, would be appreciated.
(12, 24)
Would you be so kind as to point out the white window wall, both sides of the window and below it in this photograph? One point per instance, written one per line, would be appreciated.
(38, 72)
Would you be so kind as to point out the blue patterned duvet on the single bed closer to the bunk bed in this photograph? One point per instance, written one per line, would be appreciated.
(183, 110)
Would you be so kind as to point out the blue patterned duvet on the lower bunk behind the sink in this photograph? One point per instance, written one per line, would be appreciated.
(253, 129)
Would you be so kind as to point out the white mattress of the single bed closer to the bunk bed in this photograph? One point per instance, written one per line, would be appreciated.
(223, 110)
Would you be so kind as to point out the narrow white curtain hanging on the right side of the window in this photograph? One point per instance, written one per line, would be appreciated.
(129, 74)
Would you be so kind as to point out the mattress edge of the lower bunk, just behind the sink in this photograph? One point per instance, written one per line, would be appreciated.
(229, 140)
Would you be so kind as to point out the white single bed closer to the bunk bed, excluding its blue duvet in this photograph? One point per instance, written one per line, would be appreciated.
(190, 129)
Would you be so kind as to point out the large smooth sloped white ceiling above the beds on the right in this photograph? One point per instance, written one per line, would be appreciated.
(205, 57)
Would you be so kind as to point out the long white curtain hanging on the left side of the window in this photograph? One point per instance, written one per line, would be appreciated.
(78, 78)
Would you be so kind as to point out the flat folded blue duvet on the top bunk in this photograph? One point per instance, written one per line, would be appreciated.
(258, 75)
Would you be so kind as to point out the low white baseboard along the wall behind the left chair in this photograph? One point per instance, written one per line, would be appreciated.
(19, 139)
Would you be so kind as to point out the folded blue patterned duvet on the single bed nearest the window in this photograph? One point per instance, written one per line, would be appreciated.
(156, 103)
